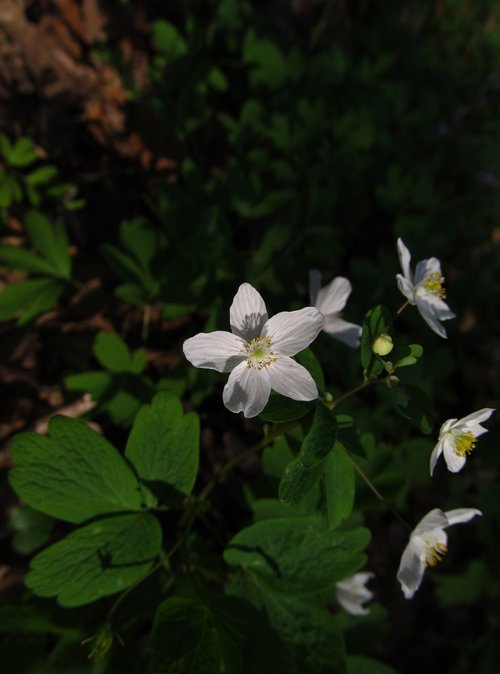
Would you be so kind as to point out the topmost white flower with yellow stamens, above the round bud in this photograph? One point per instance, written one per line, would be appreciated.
(425, 289)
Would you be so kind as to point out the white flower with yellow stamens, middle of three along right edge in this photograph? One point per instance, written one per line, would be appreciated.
(457, 438)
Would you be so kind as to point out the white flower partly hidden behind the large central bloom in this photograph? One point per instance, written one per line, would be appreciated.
(330, 300)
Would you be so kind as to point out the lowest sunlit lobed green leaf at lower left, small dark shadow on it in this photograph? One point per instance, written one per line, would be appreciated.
(97, 560)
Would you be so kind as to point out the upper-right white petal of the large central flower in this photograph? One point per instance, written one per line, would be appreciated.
(292, 331)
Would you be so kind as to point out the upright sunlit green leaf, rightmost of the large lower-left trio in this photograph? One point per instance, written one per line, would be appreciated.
(163, 446)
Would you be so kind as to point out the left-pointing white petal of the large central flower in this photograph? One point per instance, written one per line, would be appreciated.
(217, 350)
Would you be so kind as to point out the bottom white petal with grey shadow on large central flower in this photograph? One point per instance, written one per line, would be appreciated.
(247, 390)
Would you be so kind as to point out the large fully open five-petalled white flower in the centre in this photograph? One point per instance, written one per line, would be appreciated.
(257, 352)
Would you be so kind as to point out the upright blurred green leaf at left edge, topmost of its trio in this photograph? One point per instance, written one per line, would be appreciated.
(50, 241)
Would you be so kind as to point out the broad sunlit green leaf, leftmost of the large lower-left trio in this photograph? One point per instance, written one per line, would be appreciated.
(74, 474)
